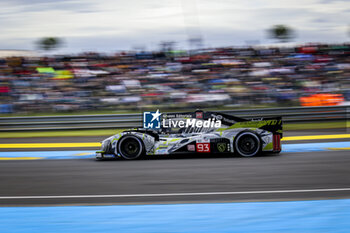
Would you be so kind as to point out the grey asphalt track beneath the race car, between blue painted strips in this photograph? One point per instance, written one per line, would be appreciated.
(180, 179)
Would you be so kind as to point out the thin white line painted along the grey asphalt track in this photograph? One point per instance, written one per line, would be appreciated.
(177, 194)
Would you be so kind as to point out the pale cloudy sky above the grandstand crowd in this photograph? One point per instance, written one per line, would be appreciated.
(116, 25)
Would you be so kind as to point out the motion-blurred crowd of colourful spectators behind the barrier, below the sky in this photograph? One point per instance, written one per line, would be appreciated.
(221, 77)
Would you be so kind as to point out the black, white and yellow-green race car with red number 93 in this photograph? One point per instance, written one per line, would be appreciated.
(224, 134)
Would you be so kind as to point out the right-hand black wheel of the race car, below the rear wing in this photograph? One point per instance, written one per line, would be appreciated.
(247, 144)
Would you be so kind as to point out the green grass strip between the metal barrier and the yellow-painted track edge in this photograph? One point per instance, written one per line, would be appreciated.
(108, 132)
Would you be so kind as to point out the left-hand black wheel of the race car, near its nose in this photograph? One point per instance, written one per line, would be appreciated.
(130, 147)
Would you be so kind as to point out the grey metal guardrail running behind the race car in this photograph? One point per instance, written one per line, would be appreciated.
(110, 121)
